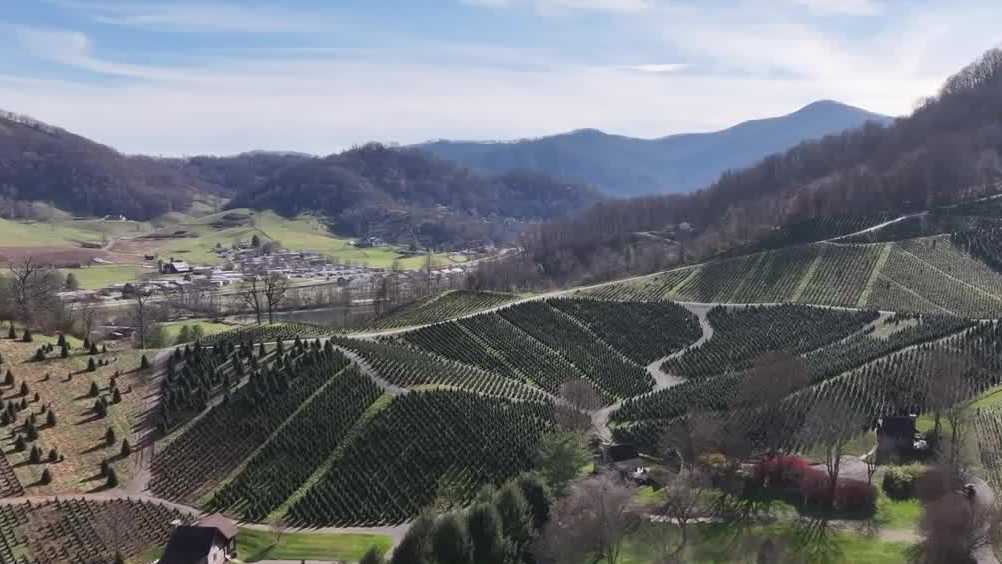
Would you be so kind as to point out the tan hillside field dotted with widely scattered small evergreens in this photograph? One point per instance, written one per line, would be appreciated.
(64, 385)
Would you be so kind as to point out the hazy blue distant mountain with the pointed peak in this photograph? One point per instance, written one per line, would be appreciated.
(628, 167)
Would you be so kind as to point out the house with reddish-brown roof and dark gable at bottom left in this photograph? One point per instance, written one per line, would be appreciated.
(212, 540)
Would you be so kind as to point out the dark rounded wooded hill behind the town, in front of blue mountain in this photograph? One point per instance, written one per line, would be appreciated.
(407, 195)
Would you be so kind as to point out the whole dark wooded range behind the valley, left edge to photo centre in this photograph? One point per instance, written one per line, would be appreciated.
(401, 196)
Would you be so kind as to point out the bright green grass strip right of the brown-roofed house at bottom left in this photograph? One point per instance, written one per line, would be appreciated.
(254, 545)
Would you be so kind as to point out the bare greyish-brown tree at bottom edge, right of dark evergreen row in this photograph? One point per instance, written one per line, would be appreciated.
(590, 524)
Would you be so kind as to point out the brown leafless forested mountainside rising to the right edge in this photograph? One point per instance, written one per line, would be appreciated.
(949, 151)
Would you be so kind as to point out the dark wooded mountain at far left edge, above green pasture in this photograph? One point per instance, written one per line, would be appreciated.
(43, 163)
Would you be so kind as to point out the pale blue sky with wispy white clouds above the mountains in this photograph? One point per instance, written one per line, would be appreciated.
(188, 78)
